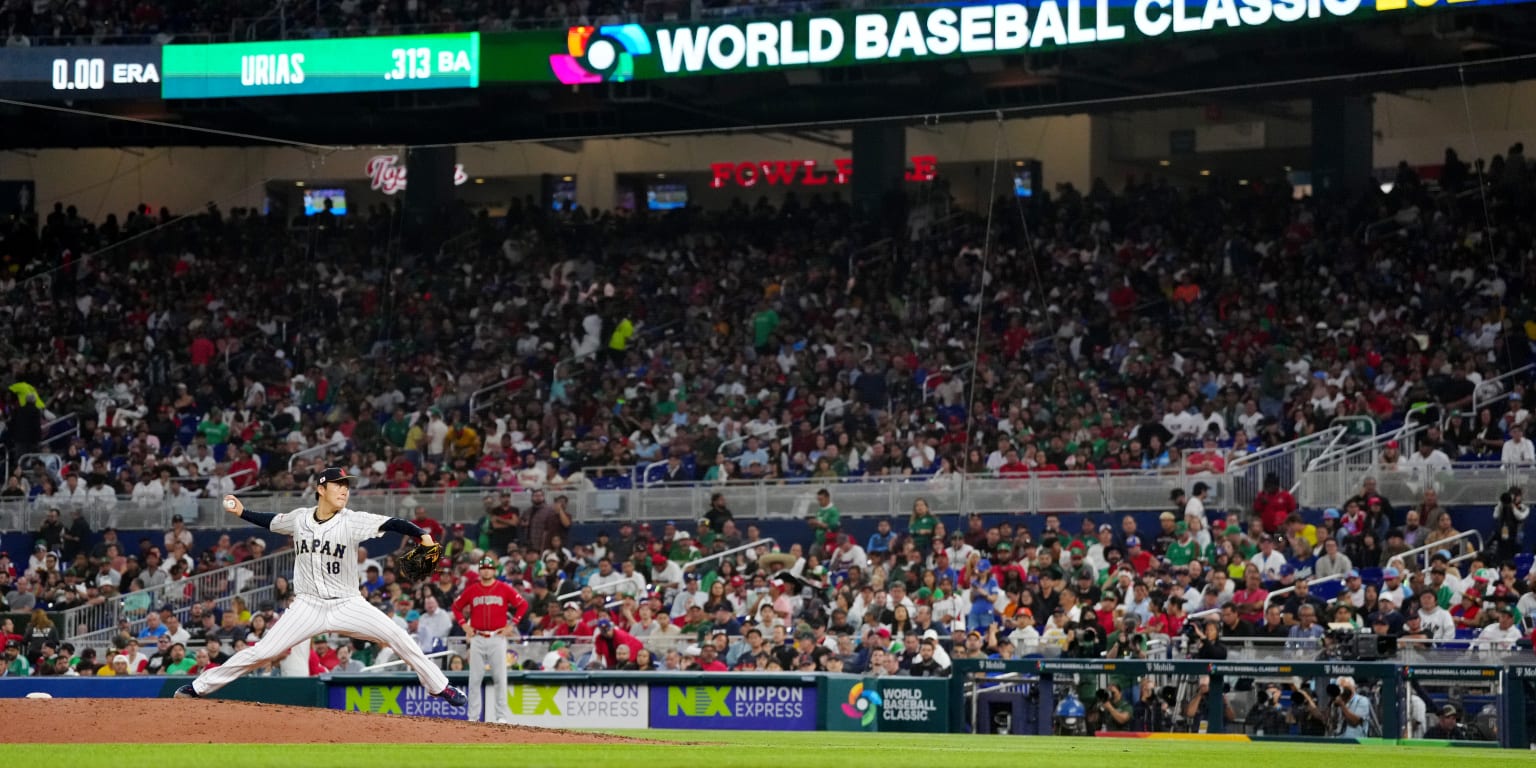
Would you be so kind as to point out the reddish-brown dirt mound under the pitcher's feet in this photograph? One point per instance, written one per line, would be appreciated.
(180, 721)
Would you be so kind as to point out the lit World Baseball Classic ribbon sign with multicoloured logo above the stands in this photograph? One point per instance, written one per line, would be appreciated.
(942, 31)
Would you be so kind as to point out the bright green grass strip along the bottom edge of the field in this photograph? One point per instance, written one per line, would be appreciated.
(756, 750)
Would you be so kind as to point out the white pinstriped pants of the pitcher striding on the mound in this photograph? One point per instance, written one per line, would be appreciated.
(310, 617)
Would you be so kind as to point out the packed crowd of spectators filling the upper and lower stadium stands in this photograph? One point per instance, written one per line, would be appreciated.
(1179, 331)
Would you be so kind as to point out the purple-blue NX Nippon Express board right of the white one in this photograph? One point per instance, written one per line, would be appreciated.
(753, 707)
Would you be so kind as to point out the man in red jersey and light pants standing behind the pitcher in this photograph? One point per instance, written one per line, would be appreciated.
(489, 611)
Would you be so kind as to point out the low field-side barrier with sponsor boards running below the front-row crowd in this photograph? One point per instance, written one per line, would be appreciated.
(1216, 700)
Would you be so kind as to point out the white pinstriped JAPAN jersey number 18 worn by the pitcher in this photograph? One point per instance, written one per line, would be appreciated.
(325, 554)
